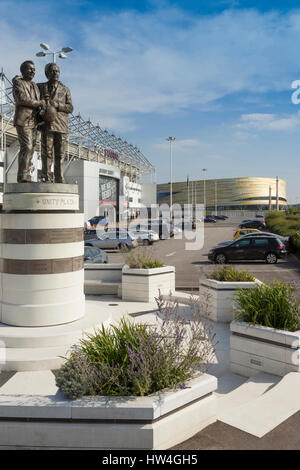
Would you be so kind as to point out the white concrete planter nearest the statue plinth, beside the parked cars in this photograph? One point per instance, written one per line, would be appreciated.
(143, 284)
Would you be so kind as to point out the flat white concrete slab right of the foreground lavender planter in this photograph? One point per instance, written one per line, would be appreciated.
(266, 408)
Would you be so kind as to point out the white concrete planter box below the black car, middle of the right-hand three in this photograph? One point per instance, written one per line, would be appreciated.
(217, 298)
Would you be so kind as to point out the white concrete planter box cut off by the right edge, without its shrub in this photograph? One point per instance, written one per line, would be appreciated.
(256, 348)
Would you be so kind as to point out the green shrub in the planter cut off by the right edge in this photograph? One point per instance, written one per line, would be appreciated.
(272, 305)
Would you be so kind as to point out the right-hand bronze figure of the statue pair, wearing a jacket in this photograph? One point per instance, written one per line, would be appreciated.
(55, 126)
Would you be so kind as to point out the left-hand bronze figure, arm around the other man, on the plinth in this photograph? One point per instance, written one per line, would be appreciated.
(27, 100)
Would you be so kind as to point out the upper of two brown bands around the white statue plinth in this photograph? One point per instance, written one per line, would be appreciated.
(41, 236)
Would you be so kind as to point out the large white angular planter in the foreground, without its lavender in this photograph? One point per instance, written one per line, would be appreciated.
(159, 421)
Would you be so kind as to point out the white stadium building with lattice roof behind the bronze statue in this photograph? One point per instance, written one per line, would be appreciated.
(113, 175)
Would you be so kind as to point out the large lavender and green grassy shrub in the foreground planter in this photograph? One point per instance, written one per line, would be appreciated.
(135, 359)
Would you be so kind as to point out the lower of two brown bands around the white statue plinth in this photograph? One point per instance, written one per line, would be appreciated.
(41, 266)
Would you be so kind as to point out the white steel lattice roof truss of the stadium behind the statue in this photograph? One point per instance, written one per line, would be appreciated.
(85, 141)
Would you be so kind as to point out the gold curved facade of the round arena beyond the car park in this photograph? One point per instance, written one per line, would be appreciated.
(227, 194)
